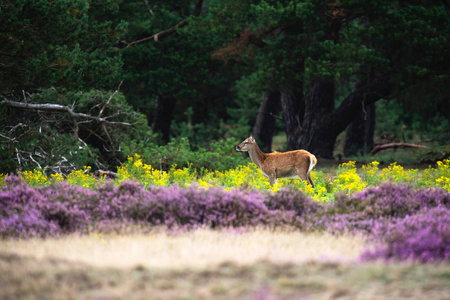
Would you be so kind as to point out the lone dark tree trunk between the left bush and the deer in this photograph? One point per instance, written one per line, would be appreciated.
(163, 116)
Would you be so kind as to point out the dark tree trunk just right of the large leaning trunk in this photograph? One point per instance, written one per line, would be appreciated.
(359, 136)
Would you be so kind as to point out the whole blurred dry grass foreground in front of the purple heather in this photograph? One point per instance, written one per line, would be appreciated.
(208, 264)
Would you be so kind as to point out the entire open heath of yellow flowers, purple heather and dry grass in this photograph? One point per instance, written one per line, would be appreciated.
(363, 232)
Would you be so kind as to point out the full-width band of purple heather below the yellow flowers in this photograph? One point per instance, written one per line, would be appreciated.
(406, 222)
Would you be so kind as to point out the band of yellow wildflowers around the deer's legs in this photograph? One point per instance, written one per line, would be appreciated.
(348, 179)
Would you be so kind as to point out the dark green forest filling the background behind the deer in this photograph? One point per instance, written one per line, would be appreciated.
(89, 83)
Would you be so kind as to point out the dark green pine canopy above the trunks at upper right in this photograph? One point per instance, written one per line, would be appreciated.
(308, 40)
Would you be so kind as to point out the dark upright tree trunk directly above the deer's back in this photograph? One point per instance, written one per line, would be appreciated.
(291, 111)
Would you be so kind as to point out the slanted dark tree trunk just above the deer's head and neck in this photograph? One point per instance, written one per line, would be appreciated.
(265, 121)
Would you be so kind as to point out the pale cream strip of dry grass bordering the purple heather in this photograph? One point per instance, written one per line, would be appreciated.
(202, 248)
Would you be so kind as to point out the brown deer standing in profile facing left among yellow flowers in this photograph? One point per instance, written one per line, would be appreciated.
(280, 165)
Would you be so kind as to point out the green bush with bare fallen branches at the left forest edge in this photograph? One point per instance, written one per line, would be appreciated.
(60, 143)
